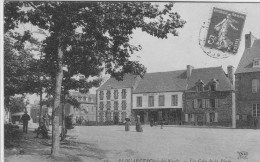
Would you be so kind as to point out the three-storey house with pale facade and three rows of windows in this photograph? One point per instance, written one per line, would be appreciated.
(114, 99)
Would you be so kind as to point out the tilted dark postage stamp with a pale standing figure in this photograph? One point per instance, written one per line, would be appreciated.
(225, 30)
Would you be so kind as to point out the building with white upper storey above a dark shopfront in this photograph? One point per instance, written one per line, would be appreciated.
(159, 96)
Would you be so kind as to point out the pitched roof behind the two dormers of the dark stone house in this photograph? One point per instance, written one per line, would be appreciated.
(206, 74)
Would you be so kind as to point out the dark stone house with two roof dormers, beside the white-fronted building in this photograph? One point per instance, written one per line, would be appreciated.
(209, 98)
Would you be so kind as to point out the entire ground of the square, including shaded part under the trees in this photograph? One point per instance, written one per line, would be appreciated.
(170, 144)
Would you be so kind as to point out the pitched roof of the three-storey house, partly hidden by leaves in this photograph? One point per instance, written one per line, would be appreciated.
(128, 81)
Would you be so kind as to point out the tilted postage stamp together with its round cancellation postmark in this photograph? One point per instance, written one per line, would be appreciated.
(220, 37)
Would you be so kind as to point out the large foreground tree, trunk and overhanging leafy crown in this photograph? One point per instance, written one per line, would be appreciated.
(101, 44)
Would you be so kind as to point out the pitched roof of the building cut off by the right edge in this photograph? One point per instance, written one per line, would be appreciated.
(246, 63)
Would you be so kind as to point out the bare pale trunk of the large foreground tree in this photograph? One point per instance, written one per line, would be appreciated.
(55, 124)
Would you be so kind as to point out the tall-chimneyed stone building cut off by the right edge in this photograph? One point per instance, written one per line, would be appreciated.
(247, 84)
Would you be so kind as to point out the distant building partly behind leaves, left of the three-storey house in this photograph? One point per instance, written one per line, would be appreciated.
(87, 110)
